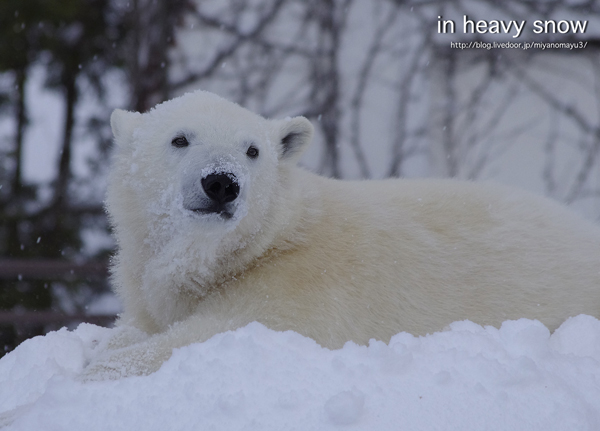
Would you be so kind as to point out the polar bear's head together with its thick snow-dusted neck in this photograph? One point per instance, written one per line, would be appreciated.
(193, 182)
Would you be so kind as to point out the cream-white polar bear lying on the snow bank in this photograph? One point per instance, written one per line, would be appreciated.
(217, 227)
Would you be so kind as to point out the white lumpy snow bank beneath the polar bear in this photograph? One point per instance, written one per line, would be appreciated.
(518, 377)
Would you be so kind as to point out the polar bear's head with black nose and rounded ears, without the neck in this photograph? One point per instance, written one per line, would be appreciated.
(205, 157)
